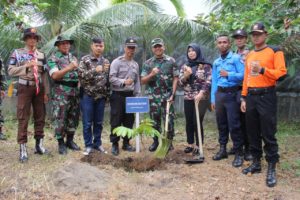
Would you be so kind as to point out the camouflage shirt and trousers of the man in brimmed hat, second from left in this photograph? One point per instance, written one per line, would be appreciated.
(65, 96)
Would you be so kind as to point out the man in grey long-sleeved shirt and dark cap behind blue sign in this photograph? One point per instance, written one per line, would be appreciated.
(125, 82)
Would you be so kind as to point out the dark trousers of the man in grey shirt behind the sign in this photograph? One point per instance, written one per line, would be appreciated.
(118, 115)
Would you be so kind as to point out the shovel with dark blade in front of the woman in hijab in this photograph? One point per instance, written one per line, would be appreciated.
(198, 158)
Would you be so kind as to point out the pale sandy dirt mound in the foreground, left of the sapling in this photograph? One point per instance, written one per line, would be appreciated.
(80, 177)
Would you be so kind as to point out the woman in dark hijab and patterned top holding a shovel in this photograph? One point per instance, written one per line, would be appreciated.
(195, 78)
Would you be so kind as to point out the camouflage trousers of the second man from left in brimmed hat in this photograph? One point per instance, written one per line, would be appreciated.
(66, 115)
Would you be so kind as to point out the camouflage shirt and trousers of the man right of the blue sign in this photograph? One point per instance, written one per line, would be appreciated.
(159, 89)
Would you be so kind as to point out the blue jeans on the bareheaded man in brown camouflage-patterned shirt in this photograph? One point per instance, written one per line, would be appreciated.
(92, 120)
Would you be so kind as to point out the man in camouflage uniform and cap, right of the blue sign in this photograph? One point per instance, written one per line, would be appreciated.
(160, 74)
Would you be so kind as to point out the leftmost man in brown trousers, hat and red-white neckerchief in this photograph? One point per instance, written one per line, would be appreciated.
(28, 64)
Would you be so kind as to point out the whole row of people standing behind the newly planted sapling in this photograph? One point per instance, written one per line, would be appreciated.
(239, 86)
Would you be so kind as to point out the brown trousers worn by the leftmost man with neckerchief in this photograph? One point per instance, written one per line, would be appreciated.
(26, 99)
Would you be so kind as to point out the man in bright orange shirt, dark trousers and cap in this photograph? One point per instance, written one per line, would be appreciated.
(263, 67)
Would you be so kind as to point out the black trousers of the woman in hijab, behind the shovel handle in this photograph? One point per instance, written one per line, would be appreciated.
(191, 121)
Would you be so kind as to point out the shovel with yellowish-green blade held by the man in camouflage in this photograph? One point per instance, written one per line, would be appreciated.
(164, 142)
